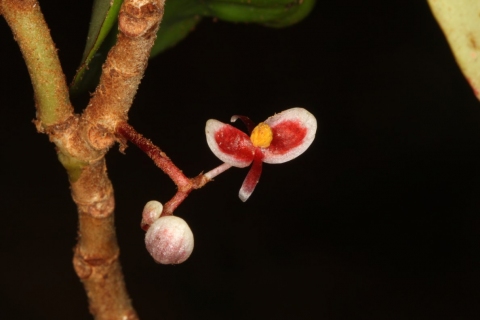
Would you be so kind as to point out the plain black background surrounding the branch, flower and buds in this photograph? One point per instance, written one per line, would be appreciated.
(379, 219)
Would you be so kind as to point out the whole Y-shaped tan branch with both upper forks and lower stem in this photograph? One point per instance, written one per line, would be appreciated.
(82, 141)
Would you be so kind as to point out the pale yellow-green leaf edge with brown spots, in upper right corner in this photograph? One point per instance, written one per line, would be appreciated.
(460, 22)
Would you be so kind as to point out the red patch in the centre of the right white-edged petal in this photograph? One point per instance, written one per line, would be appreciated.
(287, 135)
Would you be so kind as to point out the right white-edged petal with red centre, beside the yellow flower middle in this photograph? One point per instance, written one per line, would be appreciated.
(293, 132)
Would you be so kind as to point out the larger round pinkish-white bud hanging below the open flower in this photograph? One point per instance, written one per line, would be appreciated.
(169, 240)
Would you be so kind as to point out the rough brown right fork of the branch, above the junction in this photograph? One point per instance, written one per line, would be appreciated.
(138, 24)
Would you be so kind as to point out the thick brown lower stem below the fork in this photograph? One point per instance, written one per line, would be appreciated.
(96, 254)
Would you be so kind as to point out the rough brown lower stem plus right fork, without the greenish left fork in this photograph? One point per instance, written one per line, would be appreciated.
(96, 254)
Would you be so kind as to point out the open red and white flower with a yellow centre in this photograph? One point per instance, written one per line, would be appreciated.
(278, 139)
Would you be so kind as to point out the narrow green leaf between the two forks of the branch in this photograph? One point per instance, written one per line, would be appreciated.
(104, 16)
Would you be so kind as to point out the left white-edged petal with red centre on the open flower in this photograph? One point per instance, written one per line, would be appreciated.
(229, 144)
